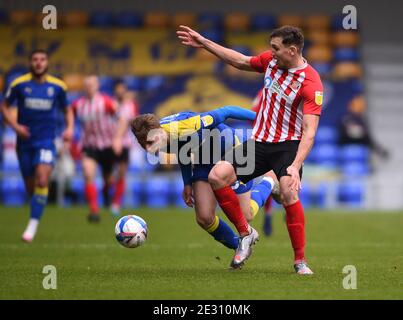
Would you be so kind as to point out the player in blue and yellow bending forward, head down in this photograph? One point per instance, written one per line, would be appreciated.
(156, 135)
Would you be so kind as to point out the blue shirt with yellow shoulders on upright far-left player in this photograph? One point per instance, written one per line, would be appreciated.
(38, 104)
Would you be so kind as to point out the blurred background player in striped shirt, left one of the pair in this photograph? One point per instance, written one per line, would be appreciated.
(96, 113)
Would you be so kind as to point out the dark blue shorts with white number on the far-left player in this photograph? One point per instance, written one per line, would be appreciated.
(30, 156)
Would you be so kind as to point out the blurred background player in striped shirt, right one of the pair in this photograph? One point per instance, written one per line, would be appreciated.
(127, 111)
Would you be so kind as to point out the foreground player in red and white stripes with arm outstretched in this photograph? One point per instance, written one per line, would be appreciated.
(283, 134)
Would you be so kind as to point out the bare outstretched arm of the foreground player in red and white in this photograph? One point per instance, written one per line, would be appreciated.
(192, 38)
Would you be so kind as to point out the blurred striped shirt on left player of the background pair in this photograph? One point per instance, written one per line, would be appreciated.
(97, 120)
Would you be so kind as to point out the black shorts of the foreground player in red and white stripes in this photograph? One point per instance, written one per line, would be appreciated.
(253, 159)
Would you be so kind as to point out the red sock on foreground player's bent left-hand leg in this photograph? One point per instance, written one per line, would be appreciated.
(229, 203)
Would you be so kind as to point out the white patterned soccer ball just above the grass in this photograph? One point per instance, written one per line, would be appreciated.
(131, 231)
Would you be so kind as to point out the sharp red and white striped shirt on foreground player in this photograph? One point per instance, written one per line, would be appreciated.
(287, 96)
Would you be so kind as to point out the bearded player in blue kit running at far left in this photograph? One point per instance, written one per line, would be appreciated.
(38, 96)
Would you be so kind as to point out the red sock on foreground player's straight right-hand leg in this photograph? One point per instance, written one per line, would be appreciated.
(296, 229)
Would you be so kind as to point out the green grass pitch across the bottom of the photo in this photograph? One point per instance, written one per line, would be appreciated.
(180, 261)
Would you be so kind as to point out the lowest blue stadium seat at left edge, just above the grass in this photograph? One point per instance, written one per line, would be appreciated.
(13, 191)
